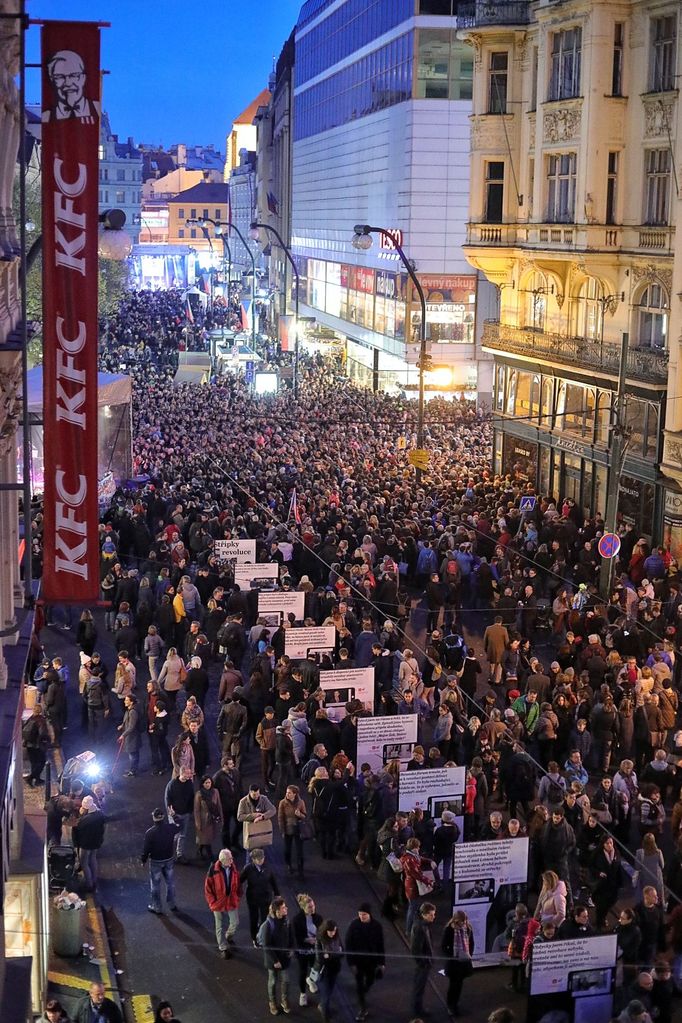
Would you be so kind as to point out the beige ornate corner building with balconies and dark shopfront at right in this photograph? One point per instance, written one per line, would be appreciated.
(576, 166)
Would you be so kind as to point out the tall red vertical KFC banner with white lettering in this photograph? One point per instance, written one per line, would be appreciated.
(70, 150)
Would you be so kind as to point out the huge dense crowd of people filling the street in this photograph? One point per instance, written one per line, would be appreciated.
(561, 704)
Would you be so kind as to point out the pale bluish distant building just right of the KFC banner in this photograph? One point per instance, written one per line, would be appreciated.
(120, 177)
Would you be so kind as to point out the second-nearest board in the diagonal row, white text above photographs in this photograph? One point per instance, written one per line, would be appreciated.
(489, 880)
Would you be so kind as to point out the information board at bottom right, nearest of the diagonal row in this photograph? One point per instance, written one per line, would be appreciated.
(582, 968)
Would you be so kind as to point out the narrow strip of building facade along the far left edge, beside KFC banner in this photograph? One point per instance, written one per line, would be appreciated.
(23, 876)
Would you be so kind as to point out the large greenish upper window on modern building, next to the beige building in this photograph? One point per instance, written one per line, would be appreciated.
(445, 67)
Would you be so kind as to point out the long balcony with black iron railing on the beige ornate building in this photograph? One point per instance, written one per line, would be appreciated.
(646, 365)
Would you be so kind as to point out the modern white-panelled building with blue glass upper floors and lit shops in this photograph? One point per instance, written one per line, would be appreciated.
(383, 97)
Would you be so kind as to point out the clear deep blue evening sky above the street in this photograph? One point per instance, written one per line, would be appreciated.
(180, 72)
